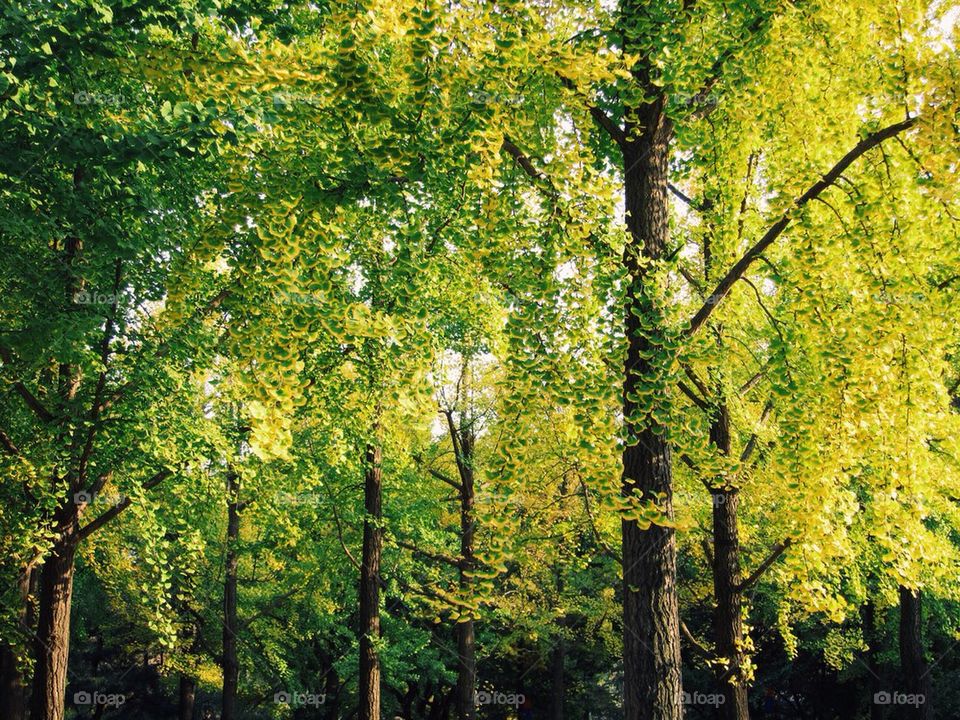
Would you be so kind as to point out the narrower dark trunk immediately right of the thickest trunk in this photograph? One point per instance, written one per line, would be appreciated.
(728, 619)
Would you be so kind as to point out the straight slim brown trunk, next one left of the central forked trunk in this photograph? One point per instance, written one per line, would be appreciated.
(370, 587)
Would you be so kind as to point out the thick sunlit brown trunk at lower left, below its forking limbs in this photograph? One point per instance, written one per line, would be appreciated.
(52, 641)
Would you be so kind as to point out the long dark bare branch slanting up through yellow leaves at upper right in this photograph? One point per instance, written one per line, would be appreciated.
(740, 267)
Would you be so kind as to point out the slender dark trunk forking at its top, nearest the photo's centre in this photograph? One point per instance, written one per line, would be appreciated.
(466, 645)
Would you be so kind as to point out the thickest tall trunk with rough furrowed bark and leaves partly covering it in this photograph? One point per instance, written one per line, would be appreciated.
(651, 622)
